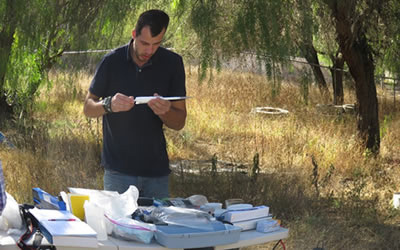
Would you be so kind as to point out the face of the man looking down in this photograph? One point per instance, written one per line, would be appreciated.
(144, 45)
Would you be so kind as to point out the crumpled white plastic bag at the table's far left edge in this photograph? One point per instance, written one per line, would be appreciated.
(11, 217)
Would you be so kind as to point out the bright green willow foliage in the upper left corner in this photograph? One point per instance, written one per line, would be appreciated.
(38, 32)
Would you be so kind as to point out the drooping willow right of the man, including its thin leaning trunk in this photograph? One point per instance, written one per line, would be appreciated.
(270, 30)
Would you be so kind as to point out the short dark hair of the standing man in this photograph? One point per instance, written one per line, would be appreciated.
(156, 19)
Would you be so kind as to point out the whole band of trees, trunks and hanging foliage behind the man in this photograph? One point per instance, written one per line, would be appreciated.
(362, 36)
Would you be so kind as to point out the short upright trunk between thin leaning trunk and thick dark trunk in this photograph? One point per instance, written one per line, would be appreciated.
(337, 79)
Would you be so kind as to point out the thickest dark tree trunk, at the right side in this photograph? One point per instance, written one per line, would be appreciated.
(358, 56)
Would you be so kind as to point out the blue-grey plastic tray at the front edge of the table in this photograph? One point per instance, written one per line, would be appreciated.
(185, 237)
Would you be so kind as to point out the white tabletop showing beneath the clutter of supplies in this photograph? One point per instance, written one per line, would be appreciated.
(247, 238)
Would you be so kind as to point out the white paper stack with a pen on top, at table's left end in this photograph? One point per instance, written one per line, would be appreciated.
(62, 228)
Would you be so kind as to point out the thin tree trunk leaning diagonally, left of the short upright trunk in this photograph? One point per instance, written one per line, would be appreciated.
(312, 58)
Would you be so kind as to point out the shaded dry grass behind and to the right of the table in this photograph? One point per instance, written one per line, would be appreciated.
(343, 222)
